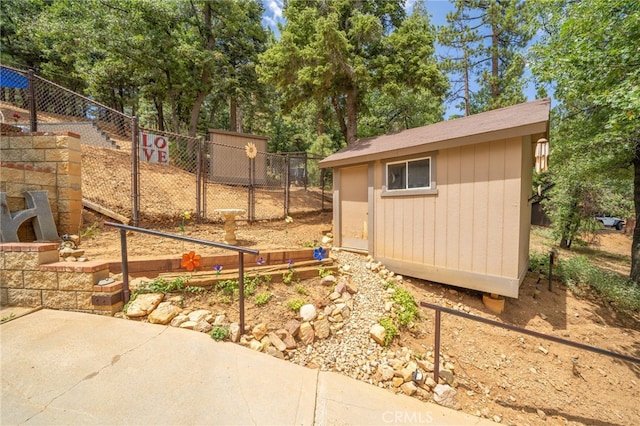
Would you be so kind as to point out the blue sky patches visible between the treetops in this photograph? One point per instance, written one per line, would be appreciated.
(437, 9)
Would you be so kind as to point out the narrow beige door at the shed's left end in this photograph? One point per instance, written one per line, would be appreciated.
(354, 207)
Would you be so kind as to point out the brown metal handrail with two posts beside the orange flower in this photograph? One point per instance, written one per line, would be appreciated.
(125, 268)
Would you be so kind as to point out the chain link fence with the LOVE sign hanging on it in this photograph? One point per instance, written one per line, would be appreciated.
(149, 175)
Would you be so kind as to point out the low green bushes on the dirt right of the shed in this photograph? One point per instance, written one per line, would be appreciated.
(578, 274)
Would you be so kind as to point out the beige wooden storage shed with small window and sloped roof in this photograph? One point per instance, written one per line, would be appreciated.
(446, 202)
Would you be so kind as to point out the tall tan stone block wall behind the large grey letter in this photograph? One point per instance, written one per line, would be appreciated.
(43, 161)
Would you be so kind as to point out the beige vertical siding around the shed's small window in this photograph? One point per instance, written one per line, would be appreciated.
(477, 221)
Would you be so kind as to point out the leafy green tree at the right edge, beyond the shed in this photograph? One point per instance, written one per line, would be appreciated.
(590, 59)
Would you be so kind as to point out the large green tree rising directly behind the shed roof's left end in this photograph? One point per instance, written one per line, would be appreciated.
(329, 54)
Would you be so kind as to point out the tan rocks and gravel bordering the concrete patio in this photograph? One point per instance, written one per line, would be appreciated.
(340, 334)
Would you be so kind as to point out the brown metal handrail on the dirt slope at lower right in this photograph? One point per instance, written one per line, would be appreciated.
(438, 309)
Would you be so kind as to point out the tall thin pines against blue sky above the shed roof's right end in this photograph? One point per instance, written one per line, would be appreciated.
(487, 39)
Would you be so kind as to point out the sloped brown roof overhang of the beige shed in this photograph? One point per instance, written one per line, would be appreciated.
(531, 118)
